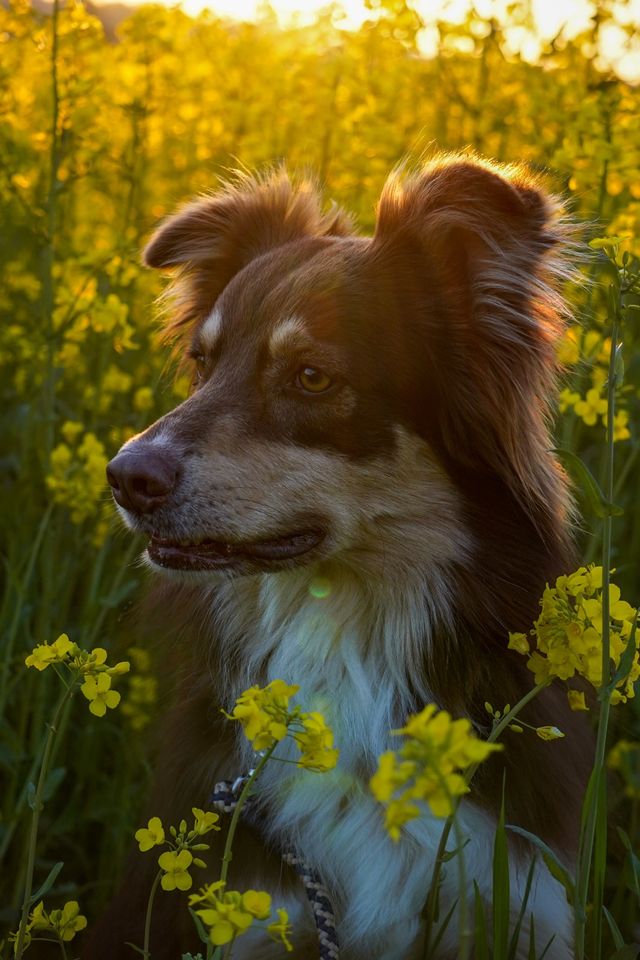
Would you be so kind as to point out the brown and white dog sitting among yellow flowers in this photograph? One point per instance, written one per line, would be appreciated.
(358, 497)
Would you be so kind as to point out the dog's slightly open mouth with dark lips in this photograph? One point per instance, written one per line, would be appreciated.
(218, 554)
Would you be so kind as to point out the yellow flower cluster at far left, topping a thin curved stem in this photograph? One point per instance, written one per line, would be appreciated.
(88, 666)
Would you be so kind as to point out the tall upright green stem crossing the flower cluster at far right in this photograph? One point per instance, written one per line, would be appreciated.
(594, 814)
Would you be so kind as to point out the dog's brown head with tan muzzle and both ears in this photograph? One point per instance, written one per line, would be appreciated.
(343, 385)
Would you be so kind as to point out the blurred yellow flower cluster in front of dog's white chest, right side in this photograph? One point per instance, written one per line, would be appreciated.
(428, 768)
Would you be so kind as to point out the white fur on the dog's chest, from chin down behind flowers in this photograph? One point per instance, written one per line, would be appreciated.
(351, 649)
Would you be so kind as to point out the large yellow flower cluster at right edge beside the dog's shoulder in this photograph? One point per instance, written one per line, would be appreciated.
(568, 635)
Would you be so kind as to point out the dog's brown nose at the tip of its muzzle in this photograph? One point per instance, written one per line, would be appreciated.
(142, 479)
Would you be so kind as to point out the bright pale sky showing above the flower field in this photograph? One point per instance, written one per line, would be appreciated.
(618, 50)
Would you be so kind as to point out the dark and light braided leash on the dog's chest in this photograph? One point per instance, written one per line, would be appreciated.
(225, 798)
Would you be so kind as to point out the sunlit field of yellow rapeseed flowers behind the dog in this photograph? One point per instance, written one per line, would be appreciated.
(99, 138)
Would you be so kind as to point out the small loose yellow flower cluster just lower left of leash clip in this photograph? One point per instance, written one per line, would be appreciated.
(176, 862)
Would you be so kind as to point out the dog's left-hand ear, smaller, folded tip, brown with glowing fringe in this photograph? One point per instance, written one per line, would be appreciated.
(248, 217)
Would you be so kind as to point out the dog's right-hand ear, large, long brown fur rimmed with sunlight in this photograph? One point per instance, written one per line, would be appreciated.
(490, 244)
